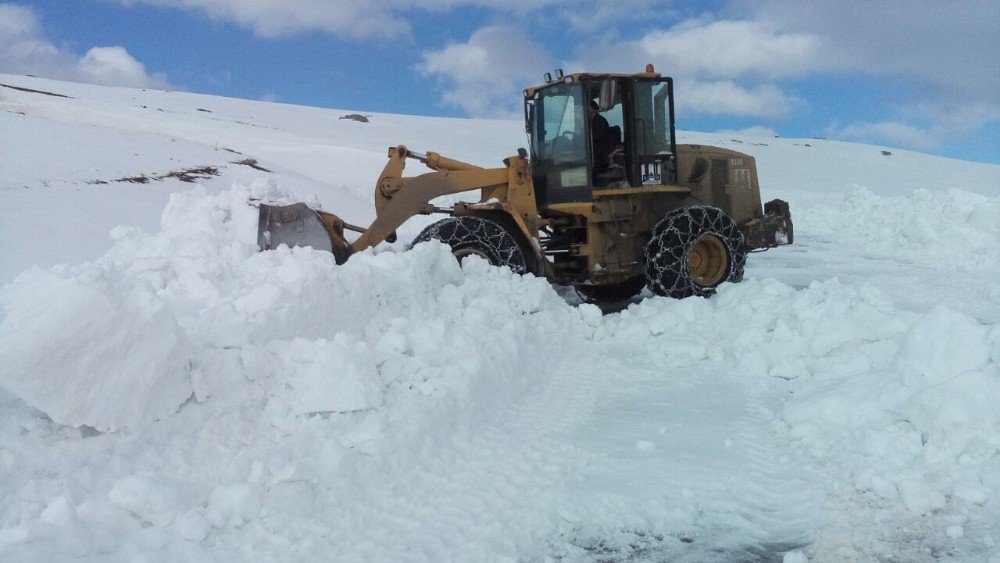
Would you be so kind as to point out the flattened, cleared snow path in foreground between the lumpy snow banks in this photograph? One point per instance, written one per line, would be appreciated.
(595, 460)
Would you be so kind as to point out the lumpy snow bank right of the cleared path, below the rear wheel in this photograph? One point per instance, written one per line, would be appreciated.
(906, 408)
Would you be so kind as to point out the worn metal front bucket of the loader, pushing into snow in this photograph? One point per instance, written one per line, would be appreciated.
(300, 225)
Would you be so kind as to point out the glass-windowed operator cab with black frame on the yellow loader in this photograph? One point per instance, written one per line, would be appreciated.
(628, 142)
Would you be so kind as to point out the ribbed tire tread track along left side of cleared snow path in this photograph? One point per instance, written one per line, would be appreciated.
(484, 494)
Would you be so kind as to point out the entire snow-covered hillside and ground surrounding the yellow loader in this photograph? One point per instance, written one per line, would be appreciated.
(168, 392)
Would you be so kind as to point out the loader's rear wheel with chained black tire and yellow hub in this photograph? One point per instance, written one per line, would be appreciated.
(693, 250)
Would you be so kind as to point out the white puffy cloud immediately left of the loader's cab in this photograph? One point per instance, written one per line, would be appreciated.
(485, 76)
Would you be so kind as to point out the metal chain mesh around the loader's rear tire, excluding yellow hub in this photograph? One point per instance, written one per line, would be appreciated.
(667, 265)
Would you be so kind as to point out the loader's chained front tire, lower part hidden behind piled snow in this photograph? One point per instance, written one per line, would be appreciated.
(471, 235)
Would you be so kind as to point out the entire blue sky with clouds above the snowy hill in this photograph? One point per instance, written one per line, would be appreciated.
(916, 75)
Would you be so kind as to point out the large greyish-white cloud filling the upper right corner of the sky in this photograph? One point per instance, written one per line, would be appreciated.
(947, 51)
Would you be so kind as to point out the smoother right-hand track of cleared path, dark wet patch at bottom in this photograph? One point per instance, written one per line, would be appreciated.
(696, 472)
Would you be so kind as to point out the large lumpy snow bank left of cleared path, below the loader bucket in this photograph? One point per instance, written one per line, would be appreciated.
(289, 358)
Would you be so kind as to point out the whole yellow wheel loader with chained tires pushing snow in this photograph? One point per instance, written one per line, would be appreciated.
(605, 201)
